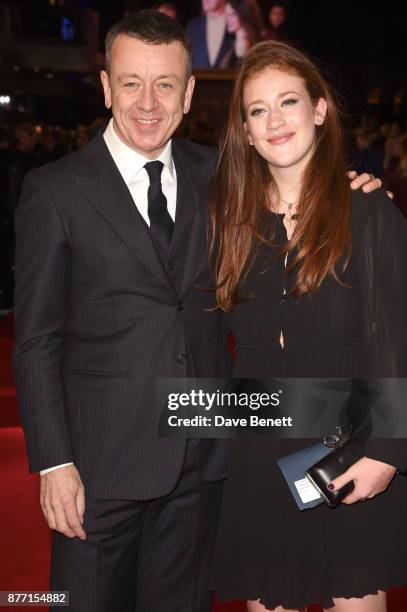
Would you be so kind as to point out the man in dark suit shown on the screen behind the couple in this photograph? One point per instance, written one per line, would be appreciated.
(210, 40)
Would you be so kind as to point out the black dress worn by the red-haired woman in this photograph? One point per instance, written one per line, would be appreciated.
(267, 549)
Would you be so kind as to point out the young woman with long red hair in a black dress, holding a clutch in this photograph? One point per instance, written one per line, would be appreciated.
(313, 278)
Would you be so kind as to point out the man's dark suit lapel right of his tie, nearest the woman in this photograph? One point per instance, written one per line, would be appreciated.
(189, 222)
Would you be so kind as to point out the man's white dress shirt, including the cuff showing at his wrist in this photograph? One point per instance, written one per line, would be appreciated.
(131, 166)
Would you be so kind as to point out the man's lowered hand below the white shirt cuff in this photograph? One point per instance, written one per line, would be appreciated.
(62, 501)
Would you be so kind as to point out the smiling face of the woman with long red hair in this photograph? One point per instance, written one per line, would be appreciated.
(281, 119)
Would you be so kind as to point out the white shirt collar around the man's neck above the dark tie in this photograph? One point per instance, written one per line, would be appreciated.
(129, 161)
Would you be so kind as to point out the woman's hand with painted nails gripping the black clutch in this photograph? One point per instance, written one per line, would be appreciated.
(370, 477)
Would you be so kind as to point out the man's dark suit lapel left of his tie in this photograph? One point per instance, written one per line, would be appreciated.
(103, 186)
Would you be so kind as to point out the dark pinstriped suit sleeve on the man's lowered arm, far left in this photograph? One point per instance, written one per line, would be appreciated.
(43, 271)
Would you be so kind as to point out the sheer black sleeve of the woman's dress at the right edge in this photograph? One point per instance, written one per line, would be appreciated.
(390, 286)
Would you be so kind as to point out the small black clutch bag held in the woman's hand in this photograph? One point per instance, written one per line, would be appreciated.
(345, 452)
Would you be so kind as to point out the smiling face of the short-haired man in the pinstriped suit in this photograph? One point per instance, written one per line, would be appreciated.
(148, 91)
